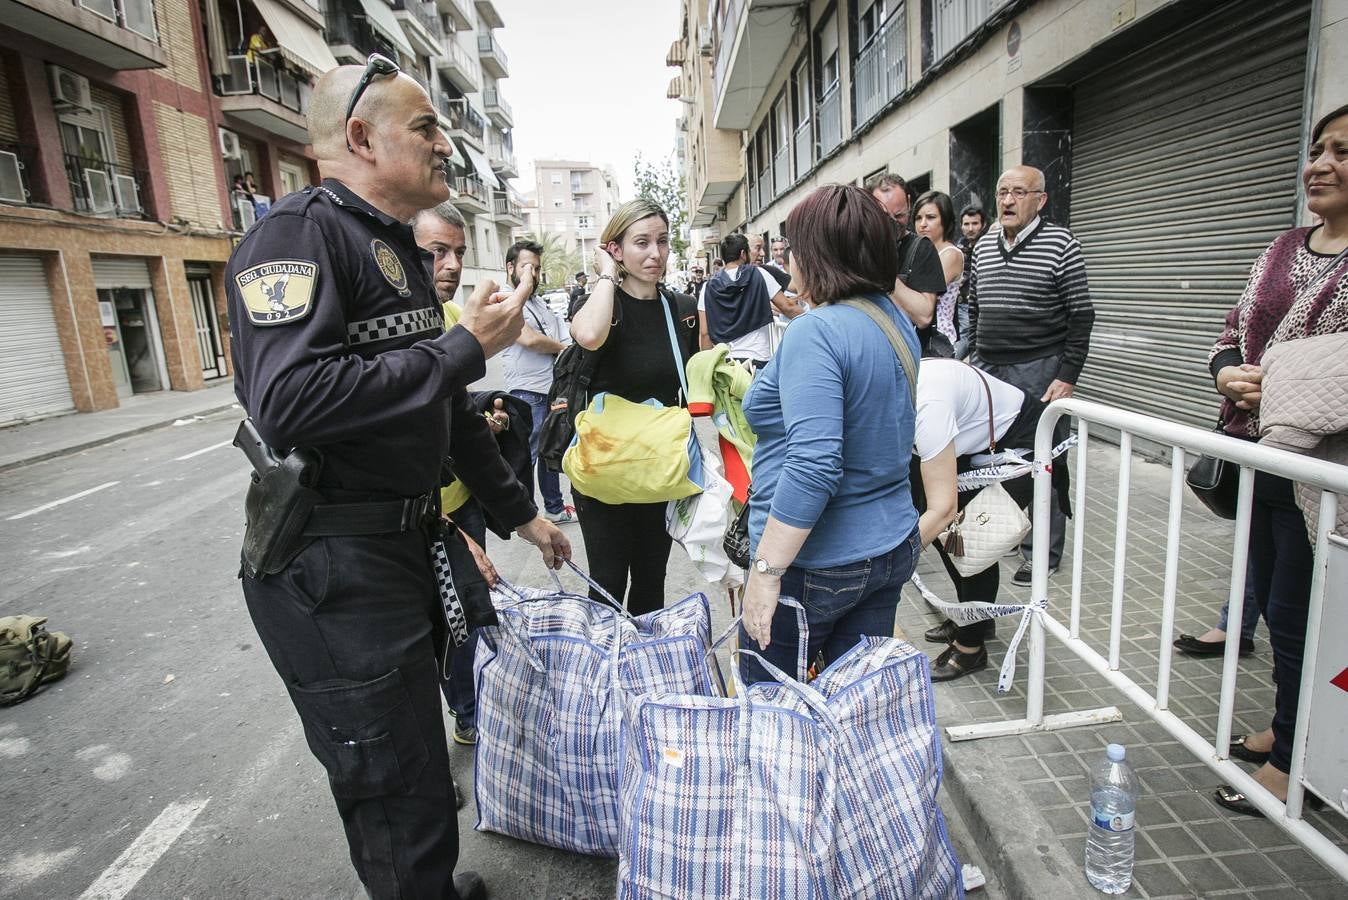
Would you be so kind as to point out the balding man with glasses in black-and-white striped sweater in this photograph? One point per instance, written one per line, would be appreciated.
(1031, 312)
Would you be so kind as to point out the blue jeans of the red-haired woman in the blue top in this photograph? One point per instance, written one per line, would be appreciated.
(842, 606)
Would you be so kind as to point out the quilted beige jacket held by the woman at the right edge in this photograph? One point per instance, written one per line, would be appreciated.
(1306, 410)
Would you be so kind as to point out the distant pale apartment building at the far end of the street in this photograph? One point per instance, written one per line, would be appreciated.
(572, 200)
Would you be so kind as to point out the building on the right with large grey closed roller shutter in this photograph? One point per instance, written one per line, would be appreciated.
(1171, 133)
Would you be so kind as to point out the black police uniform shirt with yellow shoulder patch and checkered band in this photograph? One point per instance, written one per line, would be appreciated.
(339, 346)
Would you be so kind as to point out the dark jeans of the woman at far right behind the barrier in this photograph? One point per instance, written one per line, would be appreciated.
(1281, 562)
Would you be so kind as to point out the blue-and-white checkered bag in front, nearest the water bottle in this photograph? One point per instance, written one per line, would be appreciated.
(822, 792)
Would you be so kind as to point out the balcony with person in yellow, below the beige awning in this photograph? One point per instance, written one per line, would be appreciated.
(266, 95)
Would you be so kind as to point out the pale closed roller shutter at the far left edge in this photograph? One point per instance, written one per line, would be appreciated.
(33, 368)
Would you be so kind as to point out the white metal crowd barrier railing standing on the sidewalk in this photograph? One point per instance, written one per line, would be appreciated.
(1331, 480)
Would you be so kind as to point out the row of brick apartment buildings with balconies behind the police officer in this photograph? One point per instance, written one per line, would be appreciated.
(141, 138)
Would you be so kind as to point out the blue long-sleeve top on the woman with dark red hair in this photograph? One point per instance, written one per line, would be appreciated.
(835, 426)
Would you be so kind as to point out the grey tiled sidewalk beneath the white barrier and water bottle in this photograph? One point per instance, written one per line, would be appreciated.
(1188, 847)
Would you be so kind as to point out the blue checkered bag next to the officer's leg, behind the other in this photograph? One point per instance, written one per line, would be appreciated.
(551, 686)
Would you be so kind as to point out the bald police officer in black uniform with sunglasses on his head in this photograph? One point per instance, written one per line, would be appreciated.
(339, 348)
